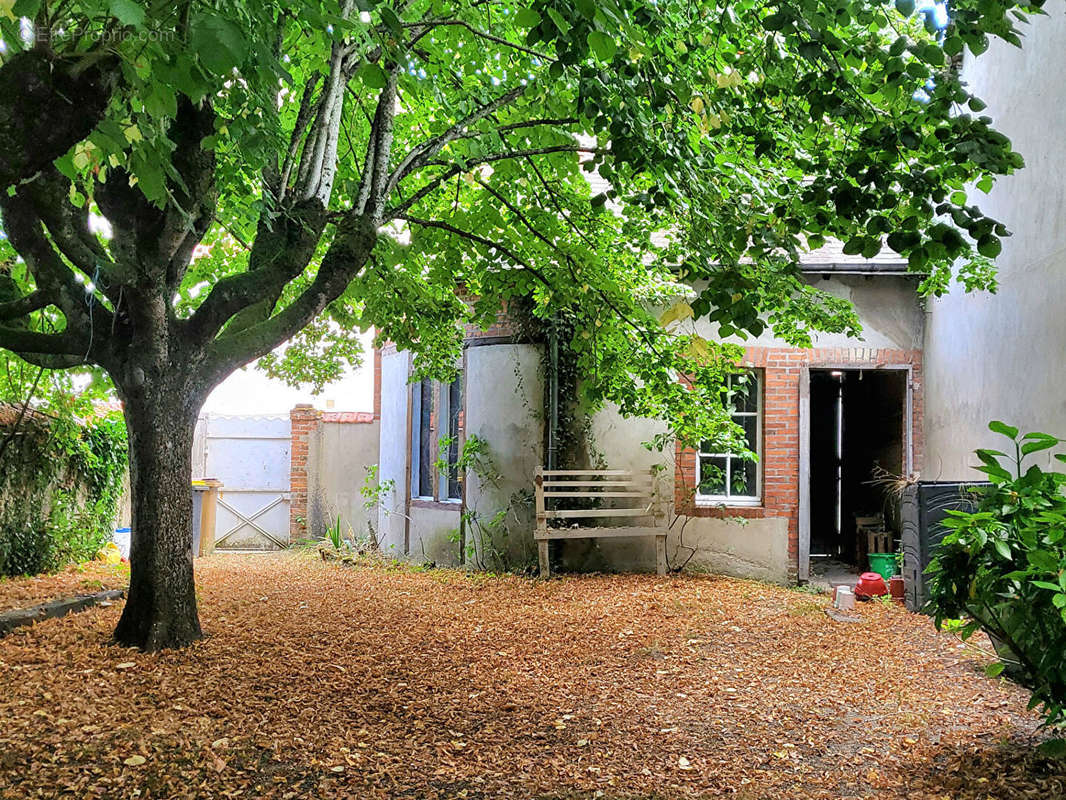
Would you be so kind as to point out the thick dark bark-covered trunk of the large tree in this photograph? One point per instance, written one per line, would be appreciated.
(161, 604)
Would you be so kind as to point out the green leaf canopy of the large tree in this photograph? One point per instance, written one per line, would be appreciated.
(725, 142)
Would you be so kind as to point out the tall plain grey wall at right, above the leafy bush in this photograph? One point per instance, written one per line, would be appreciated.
(1002, 357)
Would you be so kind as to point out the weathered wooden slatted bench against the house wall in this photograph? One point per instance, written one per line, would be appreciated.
(637, 490)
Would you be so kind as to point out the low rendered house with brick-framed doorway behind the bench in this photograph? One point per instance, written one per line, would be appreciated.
(826, 422)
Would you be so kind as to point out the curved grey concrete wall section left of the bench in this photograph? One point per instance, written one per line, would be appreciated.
(505, 399)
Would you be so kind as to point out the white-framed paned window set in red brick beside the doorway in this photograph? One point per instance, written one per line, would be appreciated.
(726, 477)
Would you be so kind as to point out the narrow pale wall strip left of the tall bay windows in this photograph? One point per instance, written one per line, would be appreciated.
(393, 453)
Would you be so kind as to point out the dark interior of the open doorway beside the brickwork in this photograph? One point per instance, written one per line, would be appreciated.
(858, 439)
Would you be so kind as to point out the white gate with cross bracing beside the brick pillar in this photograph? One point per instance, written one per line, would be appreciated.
(250, 455)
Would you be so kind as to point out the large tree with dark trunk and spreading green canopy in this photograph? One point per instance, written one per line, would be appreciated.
(267, 168)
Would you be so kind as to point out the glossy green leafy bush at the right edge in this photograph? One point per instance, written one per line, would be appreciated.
(1003, 569)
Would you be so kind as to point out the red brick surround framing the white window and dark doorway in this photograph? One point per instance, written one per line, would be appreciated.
(781, 440)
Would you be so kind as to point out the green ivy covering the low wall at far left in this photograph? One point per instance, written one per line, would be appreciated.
(60, 487)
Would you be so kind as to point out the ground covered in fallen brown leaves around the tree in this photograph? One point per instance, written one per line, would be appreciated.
(325, 681)
